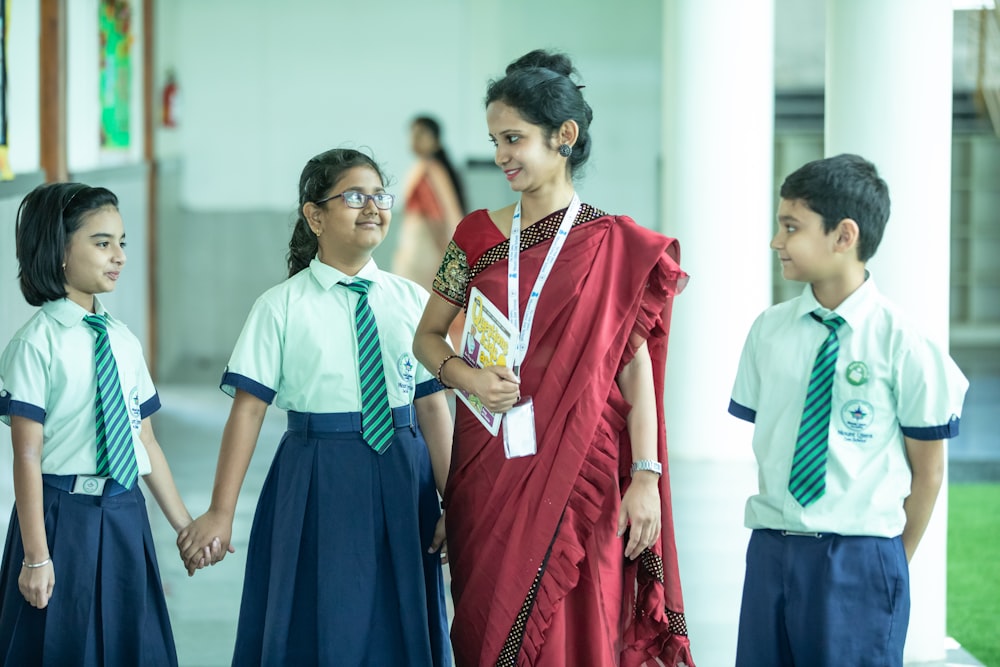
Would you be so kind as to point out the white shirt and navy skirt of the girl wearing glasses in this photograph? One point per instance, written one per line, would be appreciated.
(337, 566)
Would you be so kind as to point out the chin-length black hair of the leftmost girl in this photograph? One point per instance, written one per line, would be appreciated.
(46, 221)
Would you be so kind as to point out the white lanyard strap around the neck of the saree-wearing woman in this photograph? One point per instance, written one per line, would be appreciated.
(513, 277)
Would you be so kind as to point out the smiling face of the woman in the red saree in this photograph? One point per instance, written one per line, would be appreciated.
(528, 157)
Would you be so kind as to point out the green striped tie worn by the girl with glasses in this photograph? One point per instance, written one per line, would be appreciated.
(376, 417)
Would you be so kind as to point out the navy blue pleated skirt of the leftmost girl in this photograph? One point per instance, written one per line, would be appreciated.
(107, 607)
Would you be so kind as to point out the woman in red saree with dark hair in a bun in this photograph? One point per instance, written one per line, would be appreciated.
(565, 557)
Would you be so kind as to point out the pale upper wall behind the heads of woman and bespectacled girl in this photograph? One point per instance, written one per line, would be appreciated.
(265, 92)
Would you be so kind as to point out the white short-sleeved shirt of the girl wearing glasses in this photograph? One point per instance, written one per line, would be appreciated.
(298, 347)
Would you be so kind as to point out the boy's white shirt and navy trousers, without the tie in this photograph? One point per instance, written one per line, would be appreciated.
(828, 584)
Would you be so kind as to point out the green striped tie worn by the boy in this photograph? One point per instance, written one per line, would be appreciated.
(807, 481)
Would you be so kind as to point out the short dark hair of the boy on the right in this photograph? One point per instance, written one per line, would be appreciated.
(843, 186)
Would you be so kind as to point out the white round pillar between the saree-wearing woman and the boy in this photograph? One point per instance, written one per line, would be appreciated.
(718, 194)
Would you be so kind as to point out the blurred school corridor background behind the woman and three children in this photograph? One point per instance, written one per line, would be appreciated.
(200, 115)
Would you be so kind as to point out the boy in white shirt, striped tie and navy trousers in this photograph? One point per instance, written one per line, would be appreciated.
(850, 406)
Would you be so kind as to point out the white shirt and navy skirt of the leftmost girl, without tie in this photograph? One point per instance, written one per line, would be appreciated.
(107, 606)
